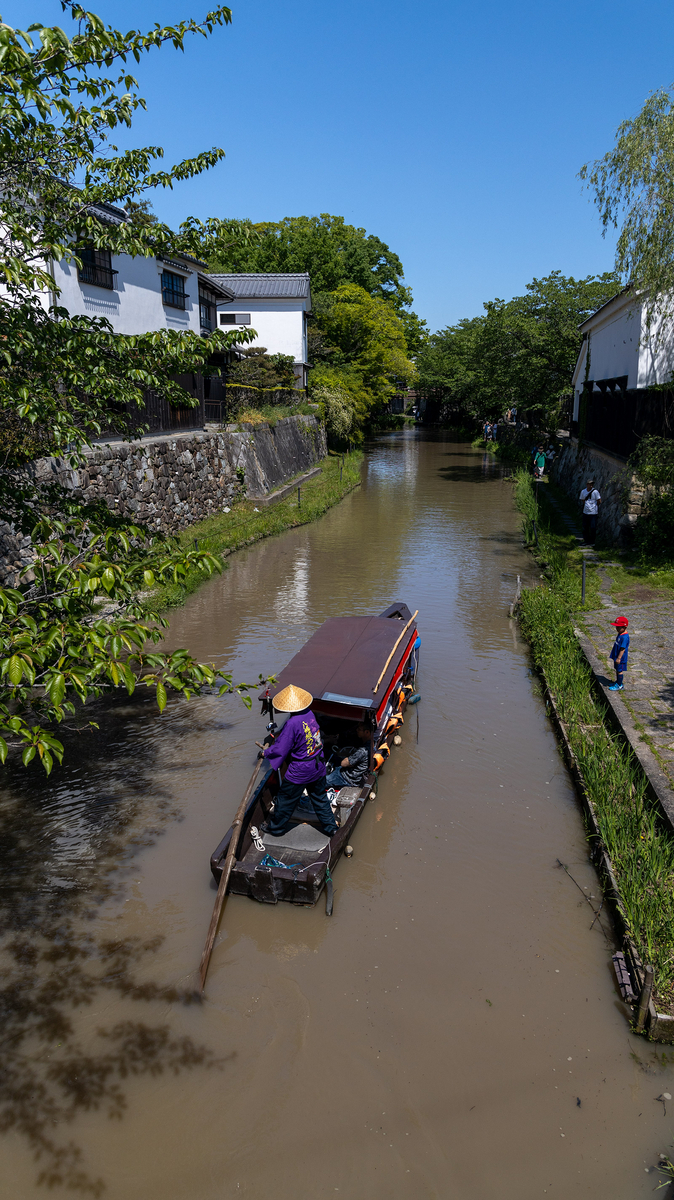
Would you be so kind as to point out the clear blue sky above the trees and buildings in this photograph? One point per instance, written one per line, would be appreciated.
(453, 131)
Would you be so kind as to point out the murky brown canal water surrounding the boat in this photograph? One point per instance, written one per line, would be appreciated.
(454, 1031)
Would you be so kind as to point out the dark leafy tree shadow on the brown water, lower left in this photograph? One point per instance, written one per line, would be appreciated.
(62, 845)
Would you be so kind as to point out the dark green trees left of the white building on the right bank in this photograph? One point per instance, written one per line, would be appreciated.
(521, 352)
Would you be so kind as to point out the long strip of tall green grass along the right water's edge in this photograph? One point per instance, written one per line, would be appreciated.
(641, 850)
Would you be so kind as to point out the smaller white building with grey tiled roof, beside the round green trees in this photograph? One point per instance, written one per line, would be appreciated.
(276, 307)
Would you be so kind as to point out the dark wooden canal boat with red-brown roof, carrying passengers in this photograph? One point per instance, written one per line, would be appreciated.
(360, 670)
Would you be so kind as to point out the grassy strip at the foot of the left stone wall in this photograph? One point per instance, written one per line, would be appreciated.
(227, 532)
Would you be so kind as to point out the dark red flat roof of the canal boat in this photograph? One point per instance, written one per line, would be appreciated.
(342, 662)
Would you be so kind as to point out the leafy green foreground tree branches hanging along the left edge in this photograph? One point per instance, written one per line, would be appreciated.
(76, 625)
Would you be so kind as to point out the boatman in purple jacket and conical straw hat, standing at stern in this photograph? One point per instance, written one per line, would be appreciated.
(302, 745)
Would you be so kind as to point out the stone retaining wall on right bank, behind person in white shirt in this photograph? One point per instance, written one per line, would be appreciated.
(624, 499)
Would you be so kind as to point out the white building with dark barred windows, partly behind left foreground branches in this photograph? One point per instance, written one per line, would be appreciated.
(140, 296)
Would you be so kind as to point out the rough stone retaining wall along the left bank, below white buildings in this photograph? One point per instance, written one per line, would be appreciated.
(170, 482)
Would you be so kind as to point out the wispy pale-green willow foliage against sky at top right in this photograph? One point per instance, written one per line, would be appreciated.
(634, 187)
